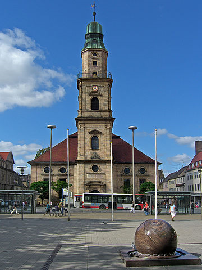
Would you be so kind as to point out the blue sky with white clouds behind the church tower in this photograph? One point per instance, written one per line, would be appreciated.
(154, 57)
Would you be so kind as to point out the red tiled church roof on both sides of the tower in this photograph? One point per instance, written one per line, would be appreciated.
(122, 152)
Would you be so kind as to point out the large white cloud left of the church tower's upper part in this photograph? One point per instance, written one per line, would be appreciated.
(23, 82)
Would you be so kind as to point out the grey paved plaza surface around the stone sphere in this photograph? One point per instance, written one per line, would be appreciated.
(90, 240)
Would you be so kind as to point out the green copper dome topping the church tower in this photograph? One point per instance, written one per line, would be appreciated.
(94, 36)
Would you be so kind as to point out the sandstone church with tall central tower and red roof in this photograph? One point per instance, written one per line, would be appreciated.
(90, 146)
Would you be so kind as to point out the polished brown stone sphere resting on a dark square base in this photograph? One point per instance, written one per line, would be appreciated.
(155, 237)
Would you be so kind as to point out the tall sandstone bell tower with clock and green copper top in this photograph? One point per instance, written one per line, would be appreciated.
(94, 121)
